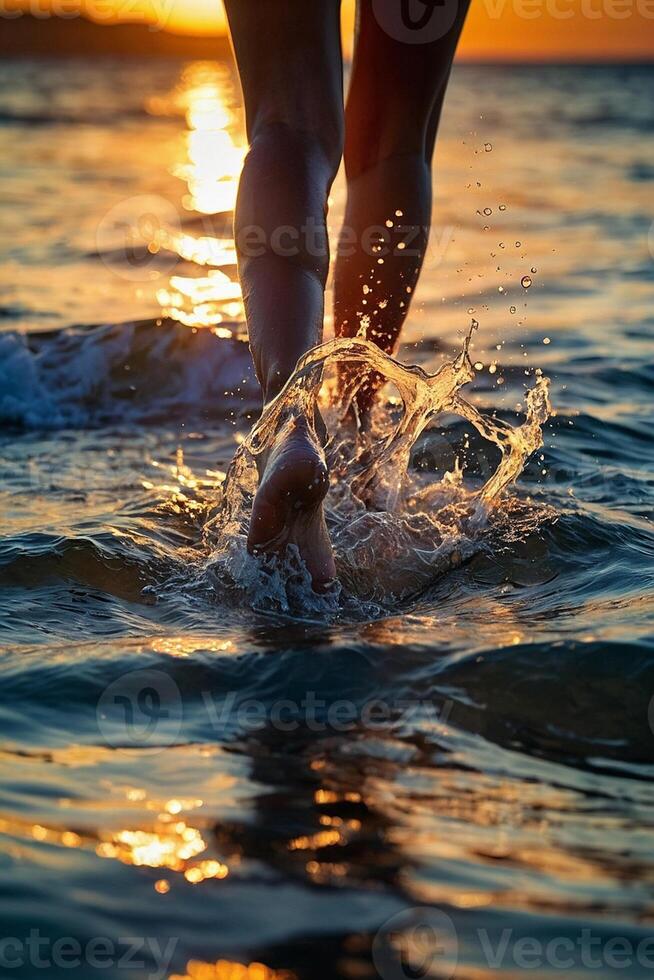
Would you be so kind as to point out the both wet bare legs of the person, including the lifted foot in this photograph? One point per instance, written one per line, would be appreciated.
(289, 60)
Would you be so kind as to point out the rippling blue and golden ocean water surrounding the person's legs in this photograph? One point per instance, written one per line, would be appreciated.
(446, 770)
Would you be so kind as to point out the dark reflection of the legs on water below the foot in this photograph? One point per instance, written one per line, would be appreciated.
(311, 828)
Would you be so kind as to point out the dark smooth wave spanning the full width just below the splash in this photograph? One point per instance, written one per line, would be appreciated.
(508, 697)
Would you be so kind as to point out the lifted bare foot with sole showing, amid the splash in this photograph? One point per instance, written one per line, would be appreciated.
(288, 506)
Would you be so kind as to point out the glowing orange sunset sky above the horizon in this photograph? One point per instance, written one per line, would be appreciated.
(495, 30)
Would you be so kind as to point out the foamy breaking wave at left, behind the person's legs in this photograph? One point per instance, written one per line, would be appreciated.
(143, 371)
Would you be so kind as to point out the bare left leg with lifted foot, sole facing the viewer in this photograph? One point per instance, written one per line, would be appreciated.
(289, 59)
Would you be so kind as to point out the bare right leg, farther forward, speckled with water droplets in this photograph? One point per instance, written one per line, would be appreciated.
(393, 109)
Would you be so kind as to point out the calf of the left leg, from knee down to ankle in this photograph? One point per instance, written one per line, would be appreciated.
(282, 245)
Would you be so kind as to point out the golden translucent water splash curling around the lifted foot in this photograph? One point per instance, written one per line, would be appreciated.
(393, 532)
